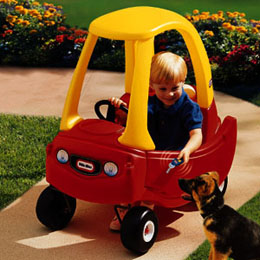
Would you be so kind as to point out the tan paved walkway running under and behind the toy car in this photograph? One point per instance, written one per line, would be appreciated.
(42, 92)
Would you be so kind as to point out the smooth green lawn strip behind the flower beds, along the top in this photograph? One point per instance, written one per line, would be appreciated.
(82, 12)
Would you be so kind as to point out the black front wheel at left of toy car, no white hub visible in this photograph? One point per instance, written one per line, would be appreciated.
(55, 209)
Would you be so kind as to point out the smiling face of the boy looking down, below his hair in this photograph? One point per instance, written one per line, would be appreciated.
(167, 92)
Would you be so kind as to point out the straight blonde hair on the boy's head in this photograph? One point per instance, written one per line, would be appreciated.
(167, 67)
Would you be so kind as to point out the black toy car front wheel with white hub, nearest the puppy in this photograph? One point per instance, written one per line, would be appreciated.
(139, 229)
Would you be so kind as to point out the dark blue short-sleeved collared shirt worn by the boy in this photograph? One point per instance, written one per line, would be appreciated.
(170, 127)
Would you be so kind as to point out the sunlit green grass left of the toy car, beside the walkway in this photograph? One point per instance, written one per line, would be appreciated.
(22, 155)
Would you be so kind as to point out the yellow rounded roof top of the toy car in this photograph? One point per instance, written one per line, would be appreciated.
(135, 23)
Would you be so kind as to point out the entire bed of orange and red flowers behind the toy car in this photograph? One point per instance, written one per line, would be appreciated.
(34, 34)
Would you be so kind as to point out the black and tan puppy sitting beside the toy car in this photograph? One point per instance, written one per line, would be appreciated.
(229, 233)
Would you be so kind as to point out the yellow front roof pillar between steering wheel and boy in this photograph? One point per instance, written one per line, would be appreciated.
(136, 133)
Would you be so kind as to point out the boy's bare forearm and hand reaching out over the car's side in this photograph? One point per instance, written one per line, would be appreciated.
(192, 145)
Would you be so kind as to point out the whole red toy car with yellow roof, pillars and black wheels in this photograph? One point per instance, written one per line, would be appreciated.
(97, 160)
